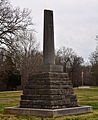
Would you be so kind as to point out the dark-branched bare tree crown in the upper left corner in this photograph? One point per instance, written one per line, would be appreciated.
(12, 22)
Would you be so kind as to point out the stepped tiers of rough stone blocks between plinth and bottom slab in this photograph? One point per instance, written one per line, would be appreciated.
(48, 90)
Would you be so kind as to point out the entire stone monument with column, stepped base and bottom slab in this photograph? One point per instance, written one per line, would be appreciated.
(49, 92)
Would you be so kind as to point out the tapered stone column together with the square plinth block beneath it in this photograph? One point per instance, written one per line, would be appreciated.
(48, 45)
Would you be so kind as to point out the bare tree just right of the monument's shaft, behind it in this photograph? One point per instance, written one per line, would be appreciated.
(71, 62)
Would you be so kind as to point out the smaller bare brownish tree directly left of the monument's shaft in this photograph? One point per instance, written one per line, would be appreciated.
(30, 57)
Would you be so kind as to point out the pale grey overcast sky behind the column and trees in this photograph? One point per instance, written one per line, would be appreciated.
(75, 21)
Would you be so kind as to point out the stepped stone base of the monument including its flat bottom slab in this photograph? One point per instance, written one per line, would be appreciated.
(48, 94)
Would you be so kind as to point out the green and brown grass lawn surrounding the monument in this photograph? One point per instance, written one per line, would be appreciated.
(85, 97)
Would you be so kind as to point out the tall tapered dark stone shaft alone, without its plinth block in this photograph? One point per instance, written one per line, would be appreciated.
(48, 46)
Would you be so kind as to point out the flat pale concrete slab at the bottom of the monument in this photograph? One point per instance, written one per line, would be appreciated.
(48, 112)
